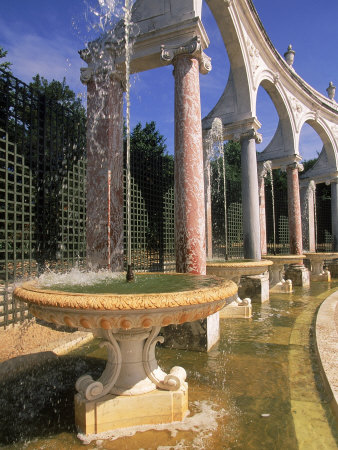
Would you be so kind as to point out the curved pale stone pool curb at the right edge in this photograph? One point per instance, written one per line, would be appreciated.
(327, 346)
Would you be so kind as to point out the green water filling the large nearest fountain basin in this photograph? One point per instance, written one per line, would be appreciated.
(143, 284)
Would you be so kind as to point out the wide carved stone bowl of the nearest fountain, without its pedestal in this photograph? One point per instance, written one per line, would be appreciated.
(125, 311)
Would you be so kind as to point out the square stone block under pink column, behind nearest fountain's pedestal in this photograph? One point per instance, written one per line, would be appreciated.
(199, 336)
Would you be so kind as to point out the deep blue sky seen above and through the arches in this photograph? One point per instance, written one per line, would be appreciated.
(43, 36)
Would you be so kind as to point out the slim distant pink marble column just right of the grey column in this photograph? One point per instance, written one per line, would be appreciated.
(294, 210)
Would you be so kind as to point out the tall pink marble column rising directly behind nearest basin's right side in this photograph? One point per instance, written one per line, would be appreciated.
(189, 182)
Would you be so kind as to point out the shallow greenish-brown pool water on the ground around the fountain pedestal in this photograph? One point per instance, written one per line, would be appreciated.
(262, 379)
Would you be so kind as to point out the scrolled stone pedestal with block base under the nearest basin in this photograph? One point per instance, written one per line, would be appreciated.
(132, 390)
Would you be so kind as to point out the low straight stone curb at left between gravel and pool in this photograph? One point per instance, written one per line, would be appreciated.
(19, 364)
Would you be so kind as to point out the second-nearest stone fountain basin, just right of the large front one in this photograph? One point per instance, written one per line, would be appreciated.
(235, 269)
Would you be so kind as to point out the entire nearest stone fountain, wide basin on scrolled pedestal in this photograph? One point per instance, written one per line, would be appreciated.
(132, 390)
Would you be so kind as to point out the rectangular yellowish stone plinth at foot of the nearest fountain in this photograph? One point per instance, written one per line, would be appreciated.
(118, 411)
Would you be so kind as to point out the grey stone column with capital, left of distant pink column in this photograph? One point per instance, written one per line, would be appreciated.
(250, 200)
